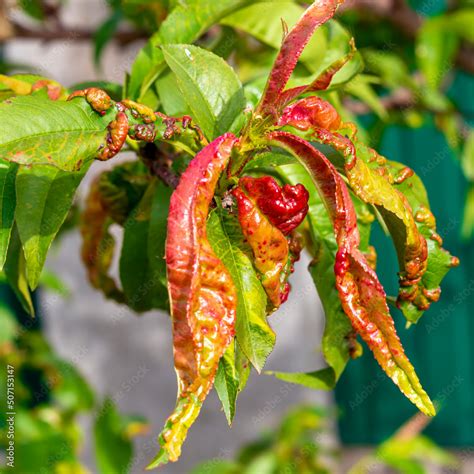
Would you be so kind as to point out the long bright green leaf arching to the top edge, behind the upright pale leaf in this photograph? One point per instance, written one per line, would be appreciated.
(184, 24)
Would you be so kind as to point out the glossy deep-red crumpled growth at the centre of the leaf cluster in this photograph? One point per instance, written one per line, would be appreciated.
(285, 207)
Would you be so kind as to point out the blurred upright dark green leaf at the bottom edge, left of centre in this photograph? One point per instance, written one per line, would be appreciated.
(113, 450)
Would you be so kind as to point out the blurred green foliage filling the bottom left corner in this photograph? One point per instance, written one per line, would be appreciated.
(49, 396)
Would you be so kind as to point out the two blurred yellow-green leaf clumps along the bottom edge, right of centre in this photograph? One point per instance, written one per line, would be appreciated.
(298, 445)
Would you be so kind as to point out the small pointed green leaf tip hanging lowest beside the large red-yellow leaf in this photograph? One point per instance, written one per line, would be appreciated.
(226, 382)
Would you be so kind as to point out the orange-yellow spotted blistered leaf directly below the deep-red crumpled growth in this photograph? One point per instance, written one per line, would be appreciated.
(269, 245)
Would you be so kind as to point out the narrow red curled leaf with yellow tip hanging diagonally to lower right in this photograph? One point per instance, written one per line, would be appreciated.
(362, 296)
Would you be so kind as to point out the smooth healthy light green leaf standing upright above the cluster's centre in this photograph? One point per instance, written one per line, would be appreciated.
(214, 104)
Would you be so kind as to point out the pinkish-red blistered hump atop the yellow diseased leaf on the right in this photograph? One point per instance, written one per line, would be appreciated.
(309, 113)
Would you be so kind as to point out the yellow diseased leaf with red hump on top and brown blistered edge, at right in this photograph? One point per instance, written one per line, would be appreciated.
(373, 183)
